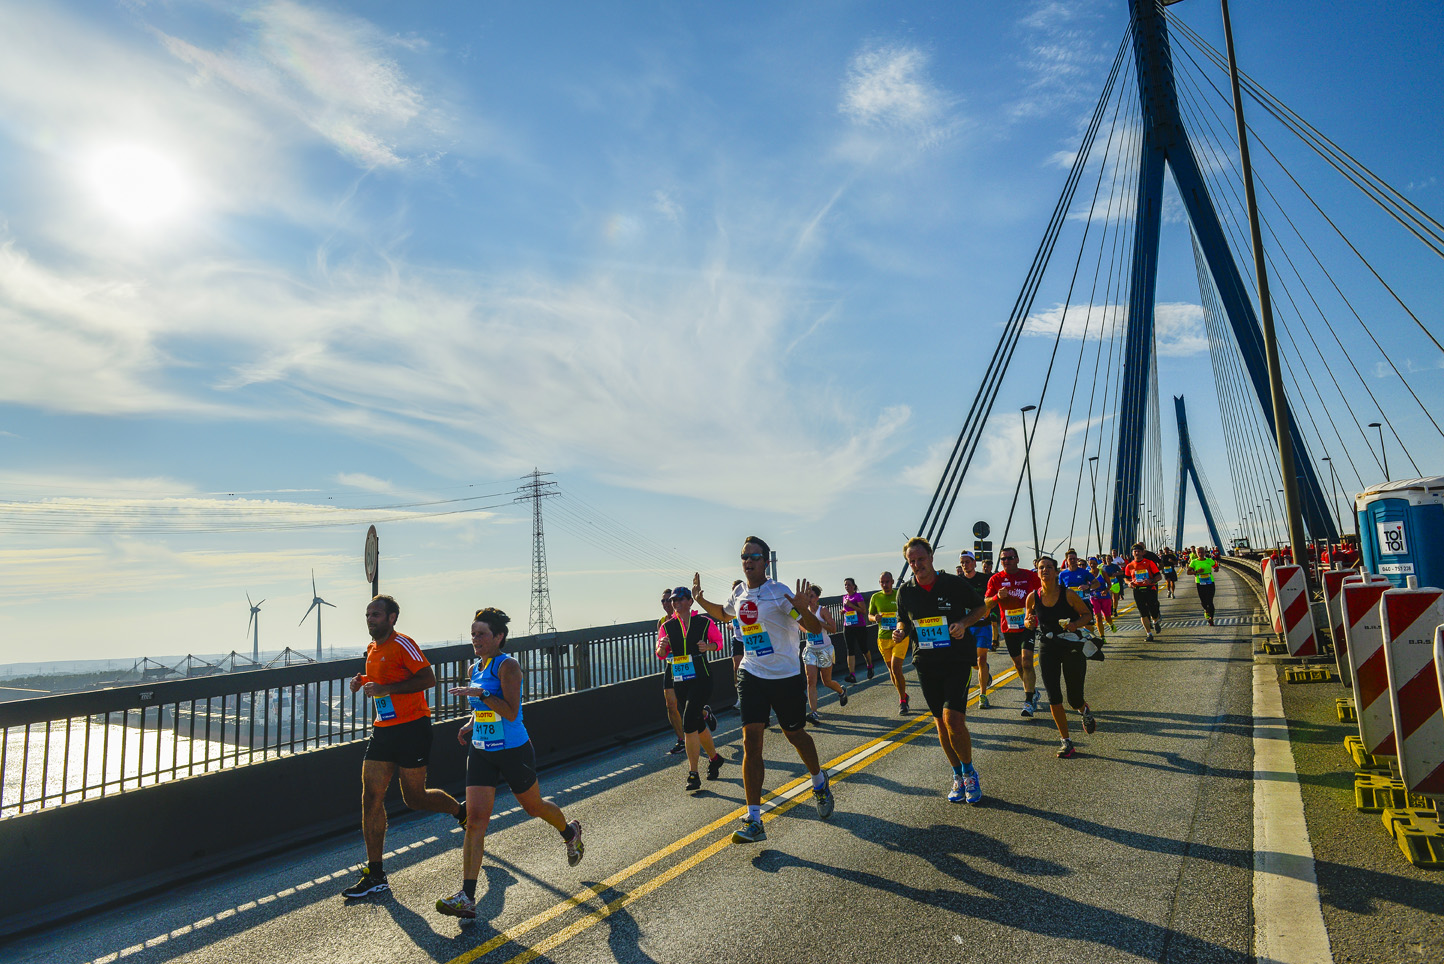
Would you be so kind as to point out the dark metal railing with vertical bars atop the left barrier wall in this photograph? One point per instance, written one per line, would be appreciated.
(69, 748)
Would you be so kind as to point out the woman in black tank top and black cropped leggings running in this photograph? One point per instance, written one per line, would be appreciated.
(1061, 654)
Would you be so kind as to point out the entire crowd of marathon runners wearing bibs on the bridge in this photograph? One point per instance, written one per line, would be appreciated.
(1053, 620)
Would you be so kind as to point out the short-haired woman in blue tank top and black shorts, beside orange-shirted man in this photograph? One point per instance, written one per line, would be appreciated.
(499, 751)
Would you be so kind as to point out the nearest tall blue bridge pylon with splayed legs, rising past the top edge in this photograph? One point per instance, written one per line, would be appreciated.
(1166, 142)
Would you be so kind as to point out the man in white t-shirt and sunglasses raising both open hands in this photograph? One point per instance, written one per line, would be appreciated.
(770, 679)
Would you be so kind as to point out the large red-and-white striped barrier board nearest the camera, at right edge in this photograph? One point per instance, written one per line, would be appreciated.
(1412, 621)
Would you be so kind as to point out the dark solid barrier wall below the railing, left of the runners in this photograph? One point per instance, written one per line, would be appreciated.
(102, 852)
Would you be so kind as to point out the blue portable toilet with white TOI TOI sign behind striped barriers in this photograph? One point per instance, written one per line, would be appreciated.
(1401, 530)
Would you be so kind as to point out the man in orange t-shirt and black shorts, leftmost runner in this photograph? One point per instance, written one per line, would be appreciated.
(398, 676)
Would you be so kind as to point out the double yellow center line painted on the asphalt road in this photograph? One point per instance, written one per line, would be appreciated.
(775, 805)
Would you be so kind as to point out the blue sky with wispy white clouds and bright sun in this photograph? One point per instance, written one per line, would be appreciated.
(721, 269)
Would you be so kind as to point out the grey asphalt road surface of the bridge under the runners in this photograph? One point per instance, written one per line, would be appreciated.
(1139, 849)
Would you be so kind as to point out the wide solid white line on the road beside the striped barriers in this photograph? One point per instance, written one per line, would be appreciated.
(1289, 921)
